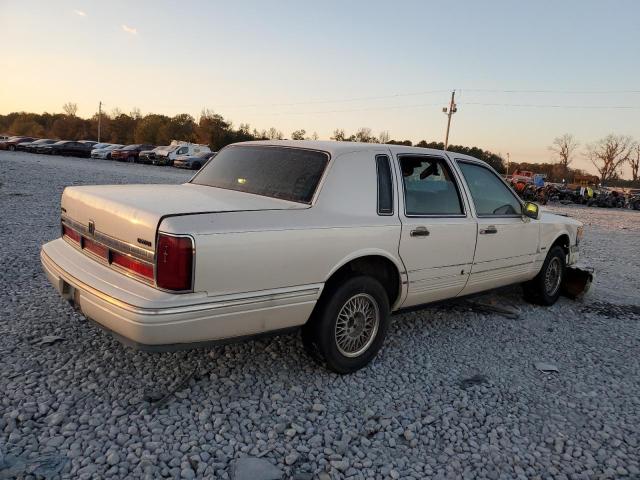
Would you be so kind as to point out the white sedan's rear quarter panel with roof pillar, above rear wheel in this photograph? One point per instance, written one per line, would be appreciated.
(258, 251)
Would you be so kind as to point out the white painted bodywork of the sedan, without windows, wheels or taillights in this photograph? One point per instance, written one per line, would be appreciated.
(261, 263)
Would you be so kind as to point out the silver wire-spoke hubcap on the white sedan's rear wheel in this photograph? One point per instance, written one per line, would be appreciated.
(357, 325)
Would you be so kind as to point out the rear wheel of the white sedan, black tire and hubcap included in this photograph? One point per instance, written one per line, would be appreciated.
(349, 324)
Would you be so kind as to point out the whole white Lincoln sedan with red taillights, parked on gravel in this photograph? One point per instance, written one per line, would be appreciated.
(328, 236)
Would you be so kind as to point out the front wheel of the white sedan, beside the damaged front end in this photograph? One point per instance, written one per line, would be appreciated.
(545, 288)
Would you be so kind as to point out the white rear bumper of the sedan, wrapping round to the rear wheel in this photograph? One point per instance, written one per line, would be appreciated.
(150, 319)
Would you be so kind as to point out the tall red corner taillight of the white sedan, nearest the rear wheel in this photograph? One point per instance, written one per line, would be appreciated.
(174, 261)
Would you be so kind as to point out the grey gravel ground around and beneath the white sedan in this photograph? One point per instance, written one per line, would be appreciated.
(454, 393)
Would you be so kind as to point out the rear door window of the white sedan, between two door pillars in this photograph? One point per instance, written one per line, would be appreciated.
(429, 187)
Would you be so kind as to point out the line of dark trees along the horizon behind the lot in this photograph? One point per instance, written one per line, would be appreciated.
(608, 155)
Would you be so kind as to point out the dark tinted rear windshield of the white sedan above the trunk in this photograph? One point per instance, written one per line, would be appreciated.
(278, 172)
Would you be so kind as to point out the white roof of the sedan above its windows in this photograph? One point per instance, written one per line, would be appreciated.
(335, 148)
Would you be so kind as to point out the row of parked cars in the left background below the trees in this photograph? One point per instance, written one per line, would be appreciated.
(179, 154)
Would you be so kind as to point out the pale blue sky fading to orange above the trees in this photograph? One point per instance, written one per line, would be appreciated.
(524, 72)
